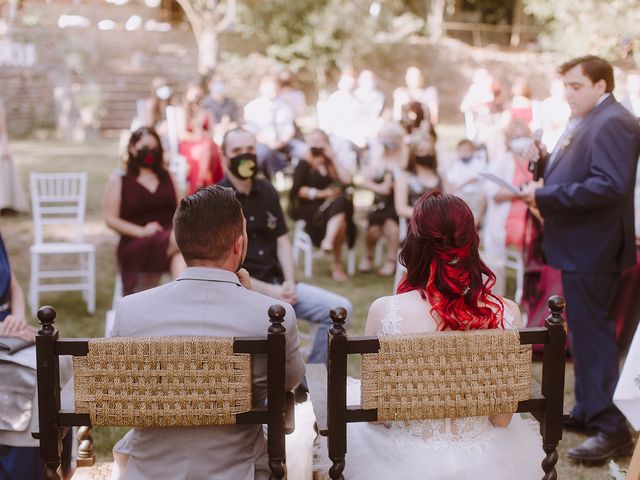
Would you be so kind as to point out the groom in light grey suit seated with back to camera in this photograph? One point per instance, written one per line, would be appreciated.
(212, 297)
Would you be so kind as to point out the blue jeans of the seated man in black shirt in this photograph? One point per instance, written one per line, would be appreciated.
(314, 304)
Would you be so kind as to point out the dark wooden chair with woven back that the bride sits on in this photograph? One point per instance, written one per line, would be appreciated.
(381, 389)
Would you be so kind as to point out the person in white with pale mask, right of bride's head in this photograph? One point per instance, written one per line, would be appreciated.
(462, 177)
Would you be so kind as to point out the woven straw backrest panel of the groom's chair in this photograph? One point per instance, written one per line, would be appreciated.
(162, 382)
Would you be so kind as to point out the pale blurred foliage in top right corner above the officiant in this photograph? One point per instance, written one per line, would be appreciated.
(579, 27)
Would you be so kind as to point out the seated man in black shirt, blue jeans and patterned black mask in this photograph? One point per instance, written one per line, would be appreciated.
(269, 256)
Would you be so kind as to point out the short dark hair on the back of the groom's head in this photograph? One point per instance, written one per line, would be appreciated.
(207, 223)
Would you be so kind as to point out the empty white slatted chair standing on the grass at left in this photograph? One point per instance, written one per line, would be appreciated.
(60, 199)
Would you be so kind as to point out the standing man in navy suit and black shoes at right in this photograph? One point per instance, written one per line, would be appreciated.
(586, 202)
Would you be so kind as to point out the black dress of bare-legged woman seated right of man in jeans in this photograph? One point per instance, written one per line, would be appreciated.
(317, 212)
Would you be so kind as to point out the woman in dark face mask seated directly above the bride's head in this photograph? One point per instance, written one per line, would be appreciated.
(419, 178)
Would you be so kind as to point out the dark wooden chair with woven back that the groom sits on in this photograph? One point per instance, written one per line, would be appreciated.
(115, 377)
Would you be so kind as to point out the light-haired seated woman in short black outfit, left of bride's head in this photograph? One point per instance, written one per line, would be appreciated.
(389, 157)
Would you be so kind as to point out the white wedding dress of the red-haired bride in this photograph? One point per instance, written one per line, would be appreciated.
(468, 448)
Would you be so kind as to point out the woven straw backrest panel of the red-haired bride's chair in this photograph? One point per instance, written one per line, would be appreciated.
(446, 375)
